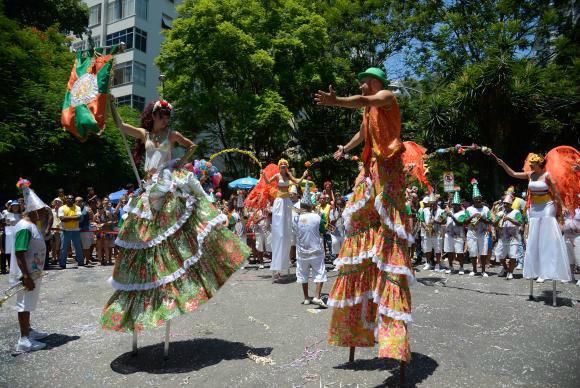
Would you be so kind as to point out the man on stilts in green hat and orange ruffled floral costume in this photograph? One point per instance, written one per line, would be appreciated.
(371, 299)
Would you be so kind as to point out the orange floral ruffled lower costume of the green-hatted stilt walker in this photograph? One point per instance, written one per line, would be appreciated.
(371, 299)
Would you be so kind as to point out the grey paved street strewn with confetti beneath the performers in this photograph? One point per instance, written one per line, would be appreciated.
(467, 332)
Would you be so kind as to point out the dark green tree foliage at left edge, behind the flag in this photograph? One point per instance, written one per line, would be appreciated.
(35, 69)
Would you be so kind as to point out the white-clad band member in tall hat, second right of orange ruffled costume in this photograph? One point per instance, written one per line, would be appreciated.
(454, 241)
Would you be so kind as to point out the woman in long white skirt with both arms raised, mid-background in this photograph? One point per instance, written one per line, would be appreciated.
(282, 218)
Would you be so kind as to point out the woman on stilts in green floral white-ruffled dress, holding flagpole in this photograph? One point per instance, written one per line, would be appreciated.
(174, 251)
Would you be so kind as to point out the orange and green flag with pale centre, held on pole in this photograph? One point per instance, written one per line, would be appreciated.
(85, 102)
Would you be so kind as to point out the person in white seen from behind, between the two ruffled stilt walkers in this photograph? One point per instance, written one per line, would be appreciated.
(308, 228)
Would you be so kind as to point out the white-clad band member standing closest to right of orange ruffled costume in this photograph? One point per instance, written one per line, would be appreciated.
(432, 218)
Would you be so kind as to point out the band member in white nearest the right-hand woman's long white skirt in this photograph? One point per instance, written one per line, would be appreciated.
(509, 240)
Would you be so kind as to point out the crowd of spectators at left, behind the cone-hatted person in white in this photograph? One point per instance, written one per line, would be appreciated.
(83, 228)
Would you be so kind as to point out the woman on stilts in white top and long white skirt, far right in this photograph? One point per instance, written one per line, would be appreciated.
(546, 256)
